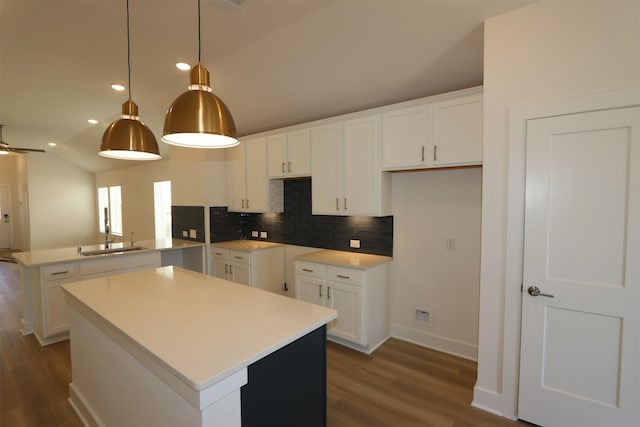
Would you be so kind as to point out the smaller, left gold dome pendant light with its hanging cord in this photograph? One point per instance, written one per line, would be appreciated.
(128, 138)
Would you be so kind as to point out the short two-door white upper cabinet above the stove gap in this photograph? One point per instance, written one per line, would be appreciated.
(289, 154)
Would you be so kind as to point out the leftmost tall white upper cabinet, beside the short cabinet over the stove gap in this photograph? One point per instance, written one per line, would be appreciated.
(249, 188)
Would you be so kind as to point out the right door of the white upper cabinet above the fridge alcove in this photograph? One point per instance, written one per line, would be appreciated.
(457, 131)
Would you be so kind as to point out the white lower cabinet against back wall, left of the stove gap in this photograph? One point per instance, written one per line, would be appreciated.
(260, 268)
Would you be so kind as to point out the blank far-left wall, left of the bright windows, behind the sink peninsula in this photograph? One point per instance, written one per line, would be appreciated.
(61, 203)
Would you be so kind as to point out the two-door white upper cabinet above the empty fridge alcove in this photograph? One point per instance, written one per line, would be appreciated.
(443, 131)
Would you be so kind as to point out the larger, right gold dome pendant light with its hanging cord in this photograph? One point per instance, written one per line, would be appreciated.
(198, 118)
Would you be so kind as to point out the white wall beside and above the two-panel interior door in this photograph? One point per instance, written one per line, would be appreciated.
(540, 53)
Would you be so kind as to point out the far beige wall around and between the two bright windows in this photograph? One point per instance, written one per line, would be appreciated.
(137, 195)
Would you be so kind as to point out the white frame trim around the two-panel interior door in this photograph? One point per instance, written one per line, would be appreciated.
(514, 244)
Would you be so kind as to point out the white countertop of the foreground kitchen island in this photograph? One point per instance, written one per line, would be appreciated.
(200, 328)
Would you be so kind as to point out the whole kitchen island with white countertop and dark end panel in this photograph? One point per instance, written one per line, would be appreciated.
(172, 347)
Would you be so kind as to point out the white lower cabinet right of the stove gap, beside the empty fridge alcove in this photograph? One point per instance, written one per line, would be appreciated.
(359, 296)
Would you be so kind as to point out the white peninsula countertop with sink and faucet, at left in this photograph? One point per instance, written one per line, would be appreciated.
(51, 256)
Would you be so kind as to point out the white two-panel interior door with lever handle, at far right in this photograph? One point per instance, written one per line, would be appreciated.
(580, 357)
